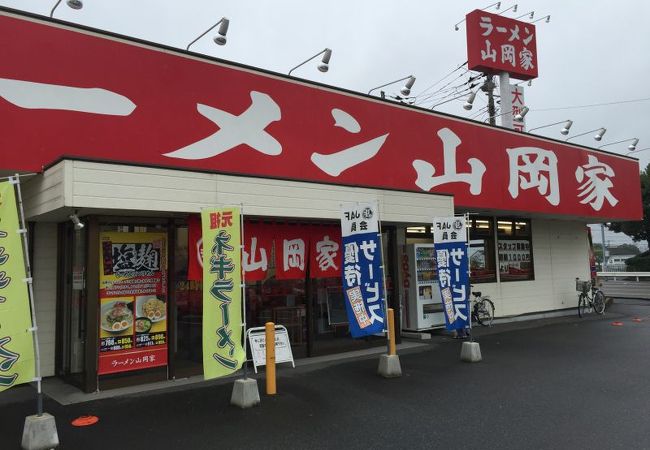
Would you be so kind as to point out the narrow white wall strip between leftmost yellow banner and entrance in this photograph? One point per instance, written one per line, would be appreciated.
(44, 272)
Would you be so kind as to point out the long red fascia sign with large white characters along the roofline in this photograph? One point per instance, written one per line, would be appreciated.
(167, 109)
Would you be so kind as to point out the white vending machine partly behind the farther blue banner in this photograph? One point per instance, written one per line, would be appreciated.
(423, 305)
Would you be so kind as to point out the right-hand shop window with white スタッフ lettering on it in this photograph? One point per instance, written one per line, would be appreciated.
(515, 249)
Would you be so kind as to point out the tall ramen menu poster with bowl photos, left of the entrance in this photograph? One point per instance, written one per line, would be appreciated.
(133, 301)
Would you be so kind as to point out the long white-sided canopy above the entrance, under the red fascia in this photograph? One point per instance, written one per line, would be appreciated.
(100, 187)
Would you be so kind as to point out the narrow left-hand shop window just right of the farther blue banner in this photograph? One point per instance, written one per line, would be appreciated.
(481, 250)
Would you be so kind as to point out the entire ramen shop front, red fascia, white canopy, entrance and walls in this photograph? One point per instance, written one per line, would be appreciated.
(133, 139)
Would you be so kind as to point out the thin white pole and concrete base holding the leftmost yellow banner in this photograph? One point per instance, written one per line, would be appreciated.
(40, 429)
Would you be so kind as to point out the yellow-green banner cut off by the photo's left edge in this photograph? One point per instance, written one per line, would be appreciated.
(16, 342)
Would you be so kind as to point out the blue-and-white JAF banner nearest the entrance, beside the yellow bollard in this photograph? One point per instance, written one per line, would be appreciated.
(362, 268)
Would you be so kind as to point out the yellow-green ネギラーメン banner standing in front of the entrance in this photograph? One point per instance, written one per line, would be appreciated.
(223, 353)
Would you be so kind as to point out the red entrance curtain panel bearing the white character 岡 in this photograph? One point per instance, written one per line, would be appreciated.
(291, 251)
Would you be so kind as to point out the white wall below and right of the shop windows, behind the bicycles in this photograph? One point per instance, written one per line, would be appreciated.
(560, 254)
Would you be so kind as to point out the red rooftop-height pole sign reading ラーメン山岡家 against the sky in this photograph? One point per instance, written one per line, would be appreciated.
(501, 44)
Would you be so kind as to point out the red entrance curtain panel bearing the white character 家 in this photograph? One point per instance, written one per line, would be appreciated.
(325, 252)
